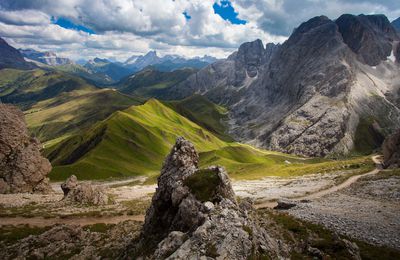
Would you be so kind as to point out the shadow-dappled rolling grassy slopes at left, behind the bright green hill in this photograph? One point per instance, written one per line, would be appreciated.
(57, 105)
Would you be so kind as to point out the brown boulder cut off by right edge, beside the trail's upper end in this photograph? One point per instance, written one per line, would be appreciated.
(391, 150)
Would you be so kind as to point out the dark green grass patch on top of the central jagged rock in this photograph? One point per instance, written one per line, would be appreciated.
(203, 184)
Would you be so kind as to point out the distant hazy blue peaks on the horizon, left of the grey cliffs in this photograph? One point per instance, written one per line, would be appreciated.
(167, 62)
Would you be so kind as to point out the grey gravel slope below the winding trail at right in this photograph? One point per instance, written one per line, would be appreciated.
(368, 210)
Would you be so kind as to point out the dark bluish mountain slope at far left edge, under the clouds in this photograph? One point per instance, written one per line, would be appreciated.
(12, 58)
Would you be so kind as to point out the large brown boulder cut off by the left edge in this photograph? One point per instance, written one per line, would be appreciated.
(22, 167)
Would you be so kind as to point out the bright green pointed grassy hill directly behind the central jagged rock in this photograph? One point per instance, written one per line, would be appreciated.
(130, 142)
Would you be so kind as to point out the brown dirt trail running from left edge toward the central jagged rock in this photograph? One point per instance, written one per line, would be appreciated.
(82, 221)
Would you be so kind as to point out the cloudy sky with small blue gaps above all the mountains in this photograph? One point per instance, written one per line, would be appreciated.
(118, 29)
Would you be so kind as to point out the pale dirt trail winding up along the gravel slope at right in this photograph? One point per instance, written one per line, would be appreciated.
(321, 193)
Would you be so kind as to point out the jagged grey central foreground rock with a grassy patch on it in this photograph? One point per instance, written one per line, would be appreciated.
(194, 214)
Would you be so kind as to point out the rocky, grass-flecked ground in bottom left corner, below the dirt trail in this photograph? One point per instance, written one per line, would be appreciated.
(74, 242)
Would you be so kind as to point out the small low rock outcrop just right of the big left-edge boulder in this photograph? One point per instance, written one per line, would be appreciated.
(83, 193)
